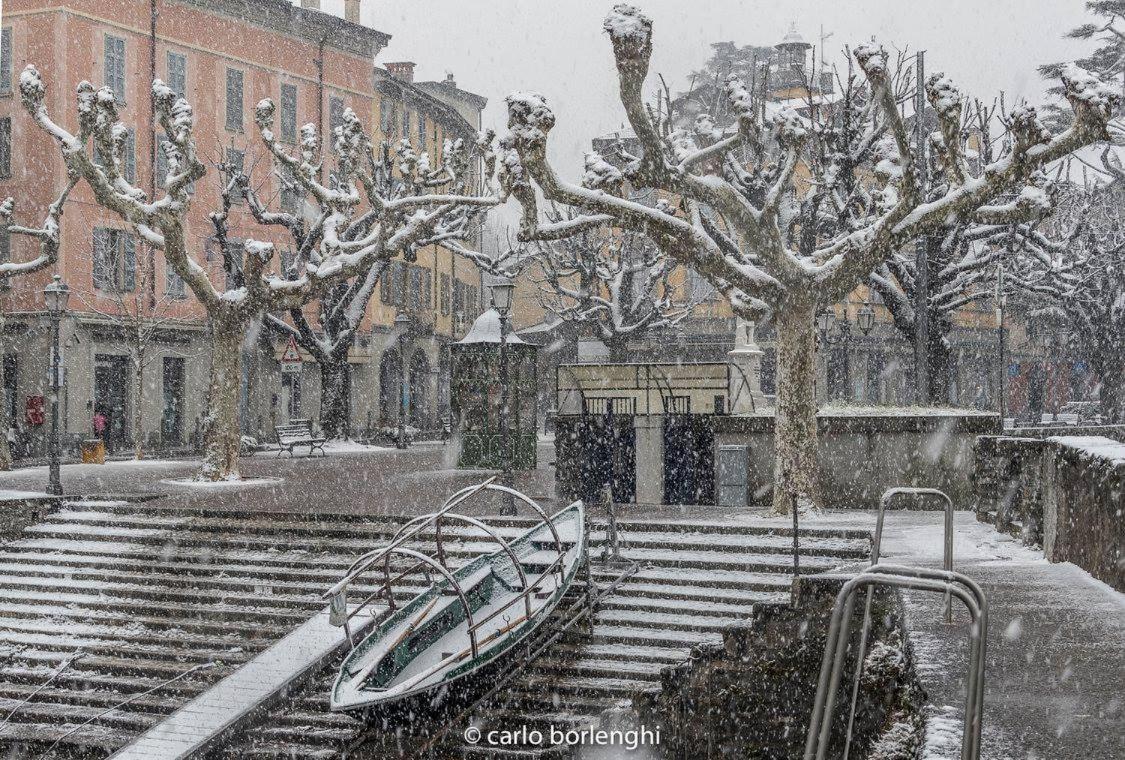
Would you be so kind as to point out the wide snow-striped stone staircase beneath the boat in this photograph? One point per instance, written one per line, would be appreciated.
(104, 603)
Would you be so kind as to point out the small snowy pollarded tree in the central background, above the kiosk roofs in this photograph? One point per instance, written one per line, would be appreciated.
(616, 285)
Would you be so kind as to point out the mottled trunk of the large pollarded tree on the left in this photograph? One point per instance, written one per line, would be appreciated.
(222, 436)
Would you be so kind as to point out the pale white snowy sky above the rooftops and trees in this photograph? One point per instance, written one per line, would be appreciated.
(557, 48)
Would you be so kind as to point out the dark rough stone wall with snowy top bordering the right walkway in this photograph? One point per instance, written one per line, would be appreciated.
(1065, 494)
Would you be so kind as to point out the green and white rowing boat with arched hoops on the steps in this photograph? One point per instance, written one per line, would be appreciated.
(439, 648)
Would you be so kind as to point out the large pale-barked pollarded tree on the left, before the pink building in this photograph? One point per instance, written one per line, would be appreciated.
(356, 227)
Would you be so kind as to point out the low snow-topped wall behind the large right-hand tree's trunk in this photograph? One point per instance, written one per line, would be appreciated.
(863, 453)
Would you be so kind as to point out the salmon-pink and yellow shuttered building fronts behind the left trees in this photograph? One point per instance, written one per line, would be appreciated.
(223, 57)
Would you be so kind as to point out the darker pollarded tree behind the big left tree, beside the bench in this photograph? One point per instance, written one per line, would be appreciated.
(398, 179)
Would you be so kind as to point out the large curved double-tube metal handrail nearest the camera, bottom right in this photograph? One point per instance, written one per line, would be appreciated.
(941, 582)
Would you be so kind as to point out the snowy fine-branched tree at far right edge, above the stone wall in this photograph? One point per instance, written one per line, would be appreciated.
(1073, 274)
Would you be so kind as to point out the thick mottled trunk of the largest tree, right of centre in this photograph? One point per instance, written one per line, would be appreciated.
(796, 467)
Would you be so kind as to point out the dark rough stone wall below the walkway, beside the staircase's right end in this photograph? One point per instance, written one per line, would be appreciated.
(752, 696)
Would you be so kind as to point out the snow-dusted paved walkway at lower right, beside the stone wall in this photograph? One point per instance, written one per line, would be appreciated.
(1056, 664)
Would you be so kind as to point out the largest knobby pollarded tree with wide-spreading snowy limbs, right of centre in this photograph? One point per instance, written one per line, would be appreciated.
(769, 240)
